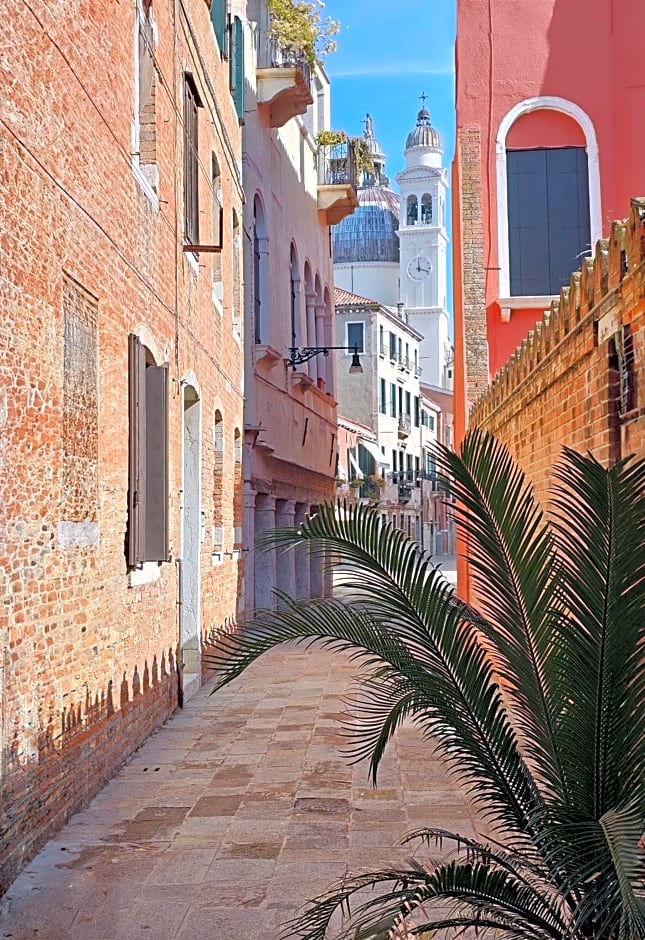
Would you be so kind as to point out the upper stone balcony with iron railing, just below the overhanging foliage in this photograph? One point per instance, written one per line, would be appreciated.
(284, 82)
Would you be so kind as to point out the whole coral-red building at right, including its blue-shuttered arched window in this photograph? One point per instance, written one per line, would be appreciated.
(550, 148)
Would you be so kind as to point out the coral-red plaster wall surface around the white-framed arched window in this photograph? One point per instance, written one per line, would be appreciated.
(589, 53)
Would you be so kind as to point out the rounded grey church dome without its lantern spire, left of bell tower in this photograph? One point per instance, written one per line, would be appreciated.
(370, 233)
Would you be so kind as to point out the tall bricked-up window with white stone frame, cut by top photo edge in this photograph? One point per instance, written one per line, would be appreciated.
(146, 128)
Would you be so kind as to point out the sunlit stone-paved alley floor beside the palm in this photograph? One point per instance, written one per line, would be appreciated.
(231, 816)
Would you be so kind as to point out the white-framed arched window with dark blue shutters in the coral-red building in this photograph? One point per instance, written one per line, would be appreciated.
(548, 192)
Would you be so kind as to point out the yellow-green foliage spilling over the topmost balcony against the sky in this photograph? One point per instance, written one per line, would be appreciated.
(299, 24)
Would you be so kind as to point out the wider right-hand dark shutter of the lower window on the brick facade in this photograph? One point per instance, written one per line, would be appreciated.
(156, 528)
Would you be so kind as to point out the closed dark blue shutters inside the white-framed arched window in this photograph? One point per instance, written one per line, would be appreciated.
(548, 217)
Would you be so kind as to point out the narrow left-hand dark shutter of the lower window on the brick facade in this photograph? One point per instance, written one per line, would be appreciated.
(136, 451)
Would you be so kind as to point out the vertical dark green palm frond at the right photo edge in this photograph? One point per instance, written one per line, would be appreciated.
(599, 522)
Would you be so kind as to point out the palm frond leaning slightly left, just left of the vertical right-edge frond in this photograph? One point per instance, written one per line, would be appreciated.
(513, 564)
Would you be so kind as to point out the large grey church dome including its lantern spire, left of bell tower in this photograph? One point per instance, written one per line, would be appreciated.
(370, 233)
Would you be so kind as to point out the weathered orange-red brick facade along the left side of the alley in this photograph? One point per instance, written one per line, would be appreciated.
(96, 655)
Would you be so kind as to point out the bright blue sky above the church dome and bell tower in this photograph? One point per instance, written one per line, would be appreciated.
(387, 55)
